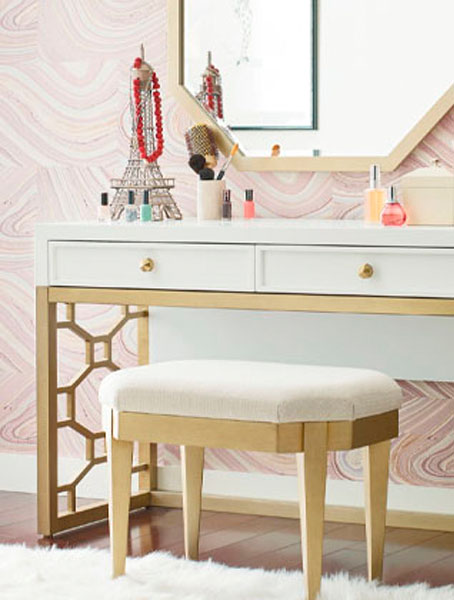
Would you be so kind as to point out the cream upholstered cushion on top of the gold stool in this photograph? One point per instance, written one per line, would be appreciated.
(250, 391)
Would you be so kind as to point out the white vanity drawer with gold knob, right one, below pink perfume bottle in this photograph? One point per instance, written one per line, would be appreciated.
(423, 272)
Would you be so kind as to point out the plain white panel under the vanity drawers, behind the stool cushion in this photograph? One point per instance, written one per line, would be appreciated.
(405, 347)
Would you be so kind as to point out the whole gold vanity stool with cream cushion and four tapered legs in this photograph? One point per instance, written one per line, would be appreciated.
(266, 407)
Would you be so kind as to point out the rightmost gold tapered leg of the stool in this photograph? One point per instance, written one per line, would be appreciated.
(376, 469)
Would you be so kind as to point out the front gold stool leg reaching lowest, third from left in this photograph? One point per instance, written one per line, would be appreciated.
(312, 466)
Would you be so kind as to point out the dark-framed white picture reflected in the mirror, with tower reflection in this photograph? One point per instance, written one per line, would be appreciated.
(253, 45)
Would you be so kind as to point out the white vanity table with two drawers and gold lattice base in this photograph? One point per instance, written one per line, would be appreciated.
(271, 265)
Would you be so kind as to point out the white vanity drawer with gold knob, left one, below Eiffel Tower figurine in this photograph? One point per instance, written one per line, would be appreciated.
(173, 266)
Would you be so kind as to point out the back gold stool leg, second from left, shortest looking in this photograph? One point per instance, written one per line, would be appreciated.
(192, 478)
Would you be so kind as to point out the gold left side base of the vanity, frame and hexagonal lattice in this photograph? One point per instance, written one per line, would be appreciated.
(50, 520)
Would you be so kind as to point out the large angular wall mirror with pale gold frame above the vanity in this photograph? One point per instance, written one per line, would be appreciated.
(336, 85)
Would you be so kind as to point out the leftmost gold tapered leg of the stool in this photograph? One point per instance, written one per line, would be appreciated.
(120, 465)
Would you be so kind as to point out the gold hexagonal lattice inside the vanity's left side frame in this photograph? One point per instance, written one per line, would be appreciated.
(91, 363)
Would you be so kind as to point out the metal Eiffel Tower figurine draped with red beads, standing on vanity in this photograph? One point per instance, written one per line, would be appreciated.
(142, 171)
